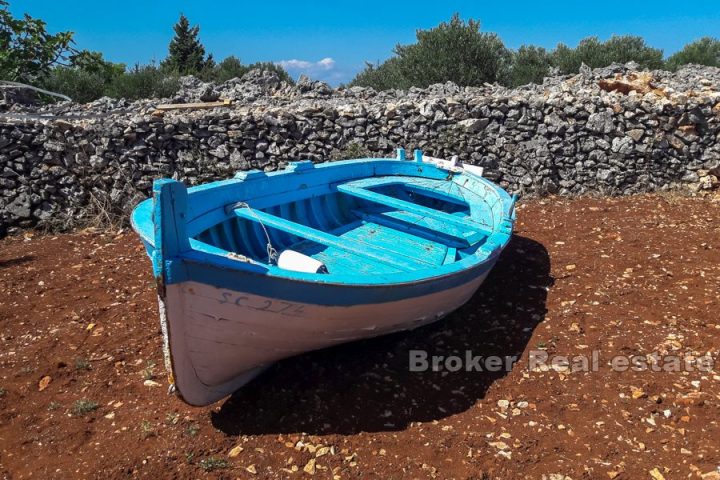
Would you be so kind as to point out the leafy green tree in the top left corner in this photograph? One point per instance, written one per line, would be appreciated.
(27, 50)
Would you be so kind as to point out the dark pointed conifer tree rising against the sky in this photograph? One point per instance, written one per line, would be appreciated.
(186, 53)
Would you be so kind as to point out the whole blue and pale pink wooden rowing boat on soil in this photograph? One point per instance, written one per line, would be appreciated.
(269, 265)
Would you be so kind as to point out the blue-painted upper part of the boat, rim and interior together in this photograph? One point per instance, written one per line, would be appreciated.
(477, 237)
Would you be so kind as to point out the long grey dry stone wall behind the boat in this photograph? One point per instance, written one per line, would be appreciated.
(609, 131)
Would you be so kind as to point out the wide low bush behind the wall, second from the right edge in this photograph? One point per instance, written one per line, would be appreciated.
(594, 53)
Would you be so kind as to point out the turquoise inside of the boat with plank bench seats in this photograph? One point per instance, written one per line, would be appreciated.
(370, 226)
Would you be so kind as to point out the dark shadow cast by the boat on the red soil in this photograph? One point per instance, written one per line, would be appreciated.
(368, 386)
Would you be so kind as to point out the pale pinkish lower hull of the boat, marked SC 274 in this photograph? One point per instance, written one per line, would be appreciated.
(218, 339)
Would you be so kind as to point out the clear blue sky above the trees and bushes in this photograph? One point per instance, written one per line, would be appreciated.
(332, 40)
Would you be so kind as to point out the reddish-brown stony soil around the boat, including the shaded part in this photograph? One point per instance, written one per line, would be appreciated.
(628, 276)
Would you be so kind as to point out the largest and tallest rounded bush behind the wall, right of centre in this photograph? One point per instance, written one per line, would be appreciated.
(453, 51)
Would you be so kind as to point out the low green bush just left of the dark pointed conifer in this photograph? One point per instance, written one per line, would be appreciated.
(145, 81)
